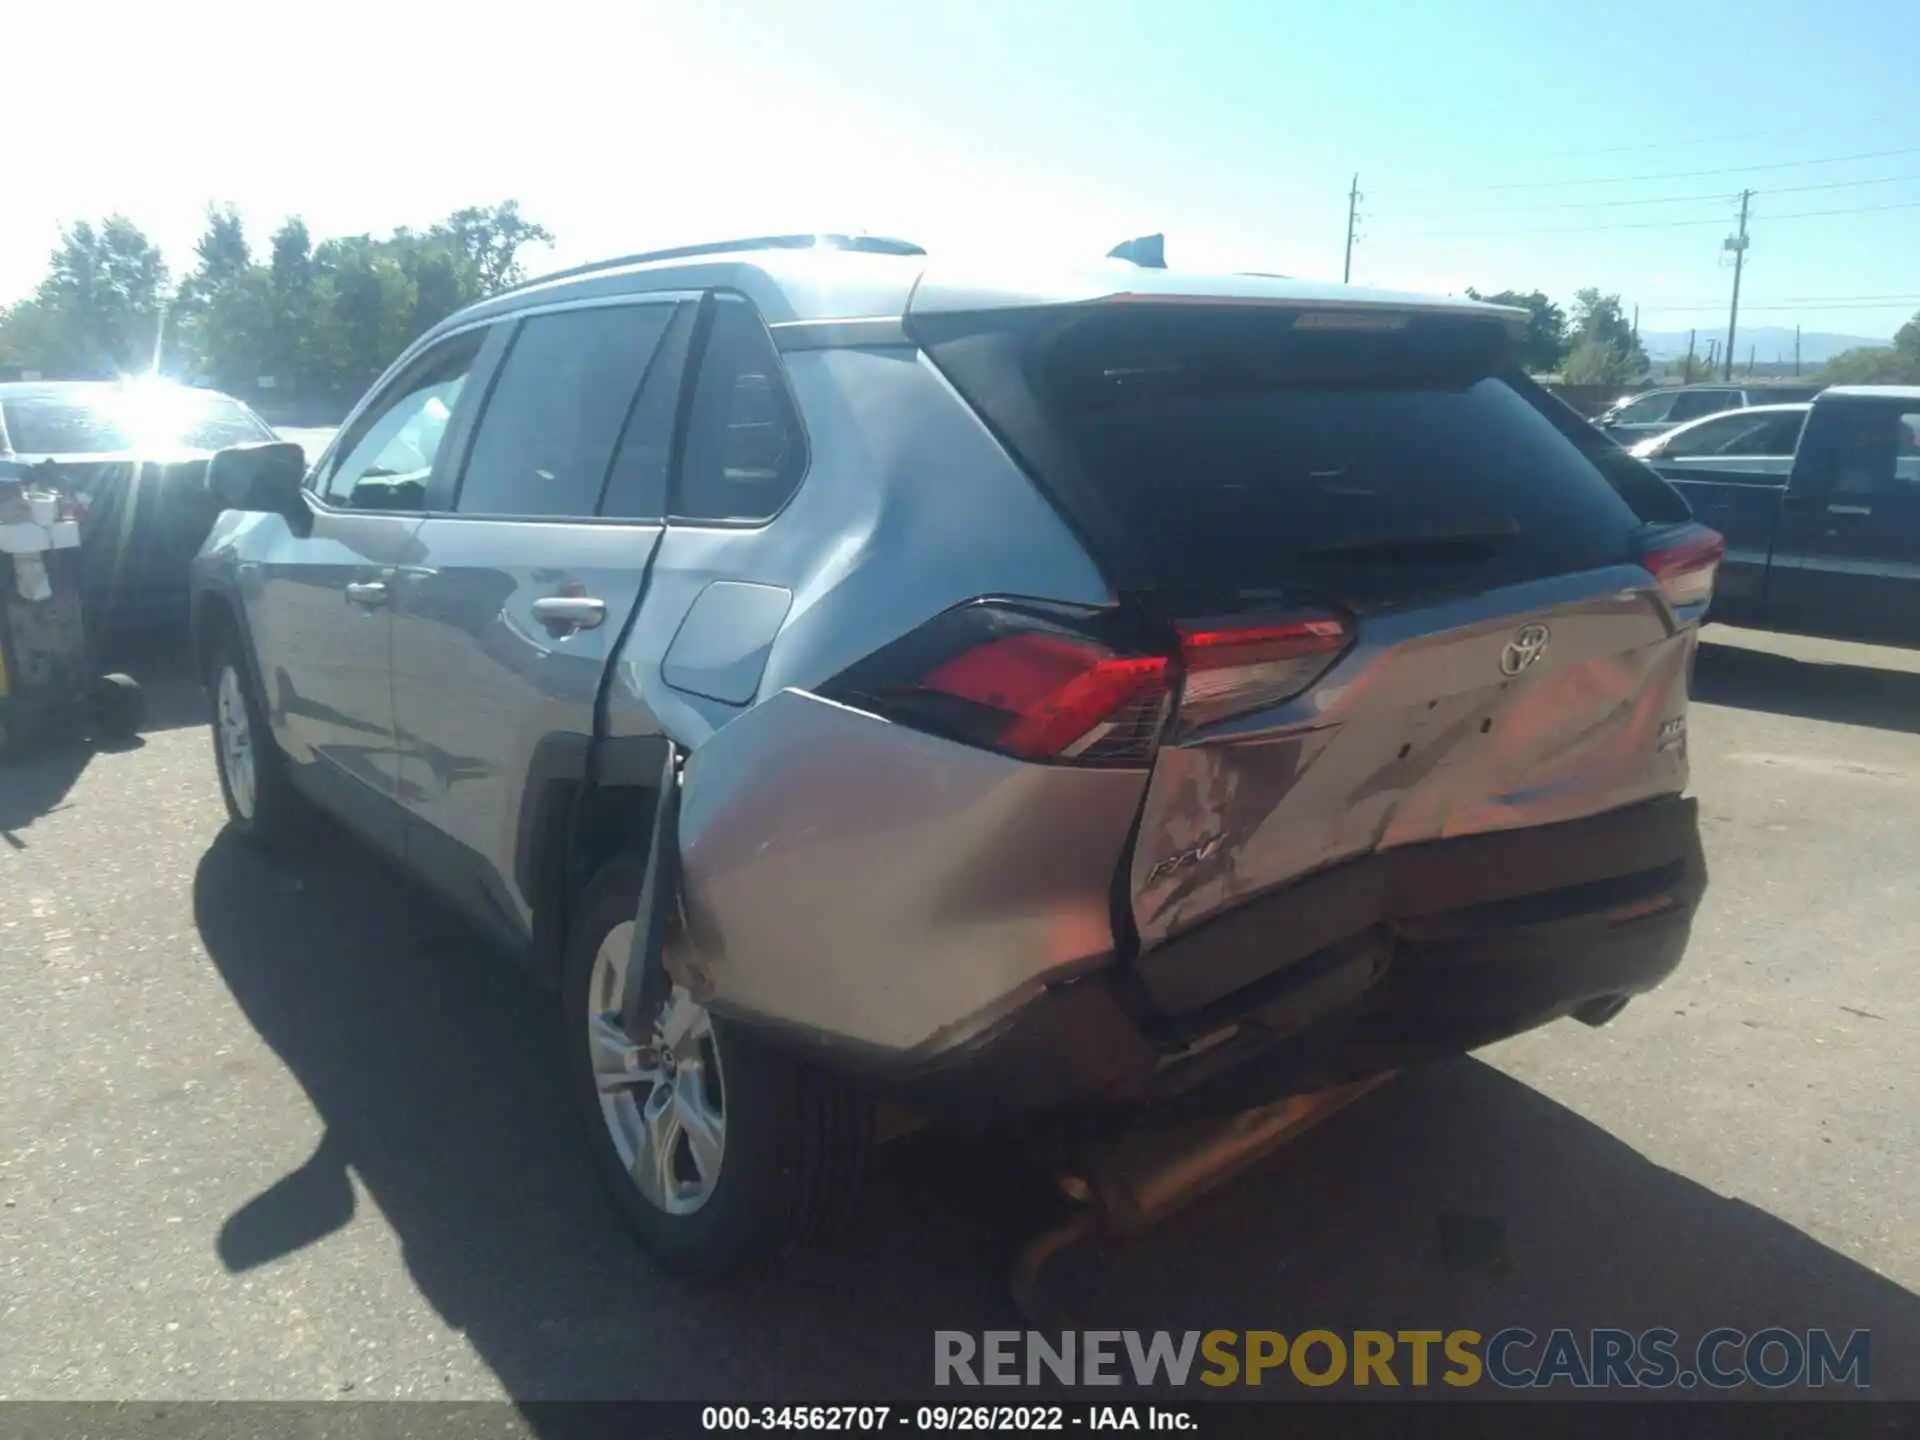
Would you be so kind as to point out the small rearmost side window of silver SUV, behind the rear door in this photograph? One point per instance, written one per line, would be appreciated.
(746, 452)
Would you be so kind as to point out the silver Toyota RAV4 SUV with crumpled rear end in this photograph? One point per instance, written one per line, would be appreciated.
(1032, 698)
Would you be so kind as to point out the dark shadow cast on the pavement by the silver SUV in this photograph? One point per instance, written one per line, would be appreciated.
(1452, 1197)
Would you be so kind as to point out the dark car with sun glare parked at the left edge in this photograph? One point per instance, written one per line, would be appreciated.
(137, 454)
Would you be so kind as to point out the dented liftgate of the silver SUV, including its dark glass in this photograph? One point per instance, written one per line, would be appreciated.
(1404, 579)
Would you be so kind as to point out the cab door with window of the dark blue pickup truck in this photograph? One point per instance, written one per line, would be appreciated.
(1850, 552)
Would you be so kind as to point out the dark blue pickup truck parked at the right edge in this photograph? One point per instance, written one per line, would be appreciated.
(1823, 540)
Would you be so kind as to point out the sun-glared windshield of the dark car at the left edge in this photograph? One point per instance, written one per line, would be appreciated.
(133, 421)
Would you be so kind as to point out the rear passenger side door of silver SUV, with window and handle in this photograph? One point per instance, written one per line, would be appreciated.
(521, 581)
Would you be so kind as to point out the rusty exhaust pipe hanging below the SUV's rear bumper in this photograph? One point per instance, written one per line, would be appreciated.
(1141, 1178)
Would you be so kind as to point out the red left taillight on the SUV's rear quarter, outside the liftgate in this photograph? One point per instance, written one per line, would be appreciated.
(1030, 681)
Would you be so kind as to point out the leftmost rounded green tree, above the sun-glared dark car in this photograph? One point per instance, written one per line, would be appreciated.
(97, 314)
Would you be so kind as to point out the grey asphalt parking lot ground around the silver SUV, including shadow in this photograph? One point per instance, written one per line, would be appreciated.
(287, 1134)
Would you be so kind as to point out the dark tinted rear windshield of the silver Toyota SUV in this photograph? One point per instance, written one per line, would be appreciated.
(1226, 452)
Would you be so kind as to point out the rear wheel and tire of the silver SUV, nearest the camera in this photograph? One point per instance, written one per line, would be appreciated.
(719, 1151)
